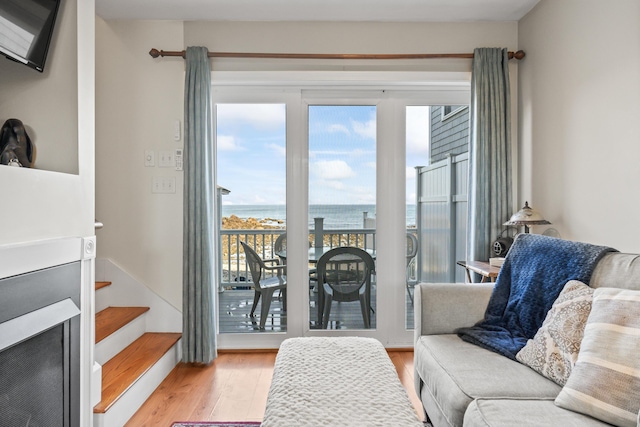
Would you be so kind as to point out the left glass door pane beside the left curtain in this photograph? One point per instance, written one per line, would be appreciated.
(251, 172)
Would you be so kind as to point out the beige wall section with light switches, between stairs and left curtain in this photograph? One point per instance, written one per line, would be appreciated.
(138, 98)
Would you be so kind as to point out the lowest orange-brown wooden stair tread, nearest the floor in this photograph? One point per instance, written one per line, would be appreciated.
(124, 369)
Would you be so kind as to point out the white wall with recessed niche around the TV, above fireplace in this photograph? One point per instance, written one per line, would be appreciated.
(58, 108)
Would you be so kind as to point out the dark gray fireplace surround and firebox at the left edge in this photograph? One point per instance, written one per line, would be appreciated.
(40, 348)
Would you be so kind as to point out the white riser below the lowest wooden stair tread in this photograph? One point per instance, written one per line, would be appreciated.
(135, 396)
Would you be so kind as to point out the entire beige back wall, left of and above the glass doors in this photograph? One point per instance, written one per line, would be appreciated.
(138, 97)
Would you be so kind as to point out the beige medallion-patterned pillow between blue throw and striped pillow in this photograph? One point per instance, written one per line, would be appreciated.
(553, 351)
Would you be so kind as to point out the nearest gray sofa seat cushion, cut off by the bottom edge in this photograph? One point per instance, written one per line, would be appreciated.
(523, 413)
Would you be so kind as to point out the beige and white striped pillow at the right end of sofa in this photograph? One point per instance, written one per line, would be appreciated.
(605, 382)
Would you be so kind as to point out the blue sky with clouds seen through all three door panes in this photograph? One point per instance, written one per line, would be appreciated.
(342, 139)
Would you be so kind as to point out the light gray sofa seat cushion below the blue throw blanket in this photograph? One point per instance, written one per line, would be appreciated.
(456, 372)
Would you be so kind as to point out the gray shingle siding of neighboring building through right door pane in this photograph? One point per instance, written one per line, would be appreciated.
(449, 136)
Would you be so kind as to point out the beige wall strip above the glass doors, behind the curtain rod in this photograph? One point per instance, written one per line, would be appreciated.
(348, 37)
